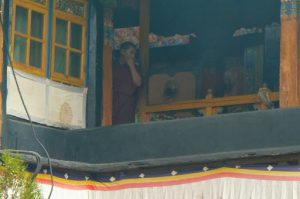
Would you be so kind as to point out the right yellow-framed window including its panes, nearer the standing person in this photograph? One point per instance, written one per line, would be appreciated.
(68, 55)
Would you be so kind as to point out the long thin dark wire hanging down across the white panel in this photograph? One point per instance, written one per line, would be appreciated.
(6, 49)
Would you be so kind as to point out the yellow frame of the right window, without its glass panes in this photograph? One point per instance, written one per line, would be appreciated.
(70, 18)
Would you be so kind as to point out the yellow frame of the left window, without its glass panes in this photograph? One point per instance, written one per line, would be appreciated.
(43, 9)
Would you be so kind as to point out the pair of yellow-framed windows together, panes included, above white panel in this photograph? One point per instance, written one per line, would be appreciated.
(30, 38)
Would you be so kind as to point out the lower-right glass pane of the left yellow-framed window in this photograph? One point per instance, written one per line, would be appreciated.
(36, 54)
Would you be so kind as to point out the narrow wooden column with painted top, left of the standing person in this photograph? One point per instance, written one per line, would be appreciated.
(107, 67)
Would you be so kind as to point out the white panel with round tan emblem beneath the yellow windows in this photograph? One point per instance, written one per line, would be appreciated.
(48, 102)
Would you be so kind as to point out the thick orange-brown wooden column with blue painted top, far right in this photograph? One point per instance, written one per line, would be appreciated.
(290, 54)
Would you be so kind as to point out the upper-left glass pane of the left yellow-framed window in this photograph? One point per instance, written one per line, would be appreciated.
(21, 20)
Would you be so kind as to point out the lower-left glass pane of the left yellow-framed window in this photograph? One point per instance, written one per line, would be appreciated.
(20, 49)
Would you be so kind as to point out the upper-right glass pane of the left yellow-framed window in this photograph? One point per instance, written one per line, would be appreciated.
(37, 24)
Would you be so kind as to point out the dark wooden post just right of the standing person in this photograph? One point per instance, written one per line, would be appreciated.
(144, 52)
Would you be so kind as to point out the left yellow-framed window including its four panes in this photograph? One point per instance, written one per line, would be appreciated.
(29, 32)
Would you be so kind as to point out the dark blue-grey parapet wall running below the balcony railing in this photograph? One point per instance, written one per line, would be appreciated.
(195, 140)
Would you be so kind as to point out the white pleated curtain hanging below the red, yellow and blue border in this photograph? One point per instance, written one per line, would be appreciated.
(223, 188)
